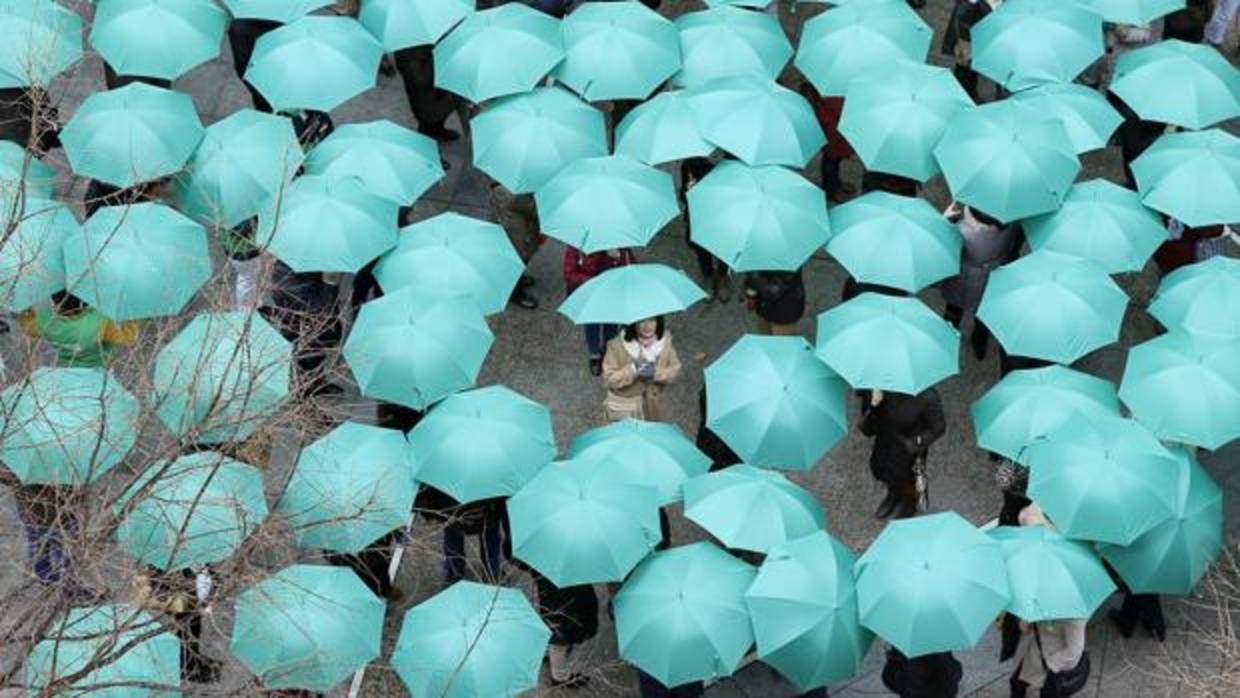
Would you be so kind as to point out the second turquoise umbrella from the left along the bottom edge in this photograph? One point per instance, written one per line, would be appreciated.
(308, 628)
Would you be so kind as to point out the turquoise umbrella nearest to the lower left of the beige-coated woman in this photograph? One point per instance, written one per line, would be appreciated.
(482, 444)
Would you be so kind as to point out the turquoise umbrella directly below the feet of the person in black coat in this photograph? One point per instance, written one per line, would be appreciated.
(932, 585)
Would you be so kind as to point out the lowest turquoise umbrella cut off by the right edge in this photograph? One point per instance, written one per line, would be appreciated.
(1186, 389)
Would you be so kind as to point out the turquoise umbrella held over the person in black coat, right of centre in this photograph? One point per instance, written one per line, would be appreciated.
(890, 344)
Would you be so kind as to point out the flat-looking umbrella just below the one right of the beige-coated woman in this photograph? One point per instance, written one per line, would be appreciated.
(751, 509)
